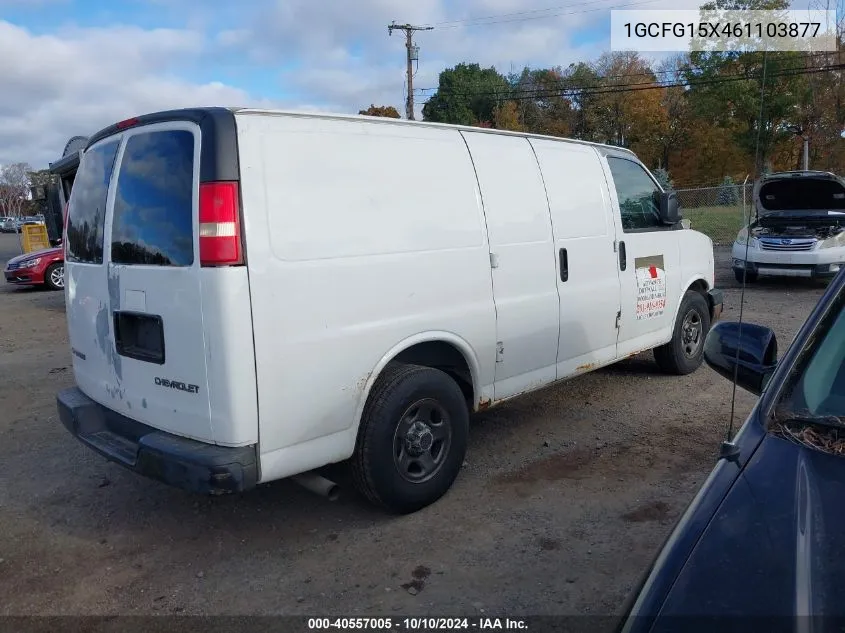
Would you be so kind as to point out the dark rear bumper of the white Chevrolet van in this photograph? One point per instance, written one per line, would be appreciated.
(178, 461)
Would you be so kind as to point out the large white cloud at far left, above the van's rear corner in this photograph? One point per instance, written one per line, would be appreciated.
(80, 80)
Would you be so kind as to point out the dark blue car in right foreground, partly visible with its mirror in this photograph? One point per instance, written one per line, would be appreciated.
(762, 545)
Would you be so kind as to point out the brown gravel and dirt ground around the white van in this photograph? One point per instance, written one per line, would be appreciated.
(562, 503)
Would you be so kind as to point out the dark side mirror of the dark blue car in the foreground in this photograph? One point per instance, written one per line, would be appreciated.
(745, 349)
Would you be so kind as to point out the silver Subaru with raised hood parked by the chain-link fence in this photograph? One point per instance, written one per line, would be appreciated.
(798, 227)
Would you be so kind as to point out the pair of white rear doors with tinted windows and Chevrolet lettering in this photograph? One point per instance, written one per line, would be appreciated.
(134, 291)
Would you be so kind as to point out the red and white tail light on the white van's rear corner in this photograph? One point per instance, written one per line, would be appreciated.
(220, 224)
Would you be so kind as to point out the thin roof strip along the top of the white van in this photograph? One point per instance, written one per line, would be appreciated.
(196, 114)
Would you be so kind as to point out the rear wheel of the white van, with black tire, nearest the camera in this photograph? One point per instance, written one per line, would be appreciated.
(380, 450)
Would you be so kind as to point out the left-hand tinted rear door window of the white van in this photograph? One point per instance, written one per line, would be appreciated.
(87, 208)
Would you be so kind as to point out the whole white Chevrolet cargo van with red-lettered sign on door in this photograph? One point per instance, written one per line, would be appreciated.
(252, 295)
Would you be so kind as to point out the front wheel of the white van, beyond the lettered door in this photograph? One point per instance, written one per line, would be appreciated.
(684, 353)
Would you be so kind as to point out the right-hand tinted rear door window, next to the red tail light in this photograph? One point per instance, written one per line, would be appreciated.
(153, 208)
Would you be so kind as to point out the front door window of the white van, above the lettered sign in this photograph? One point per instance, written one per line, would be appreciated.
(637, 193)
